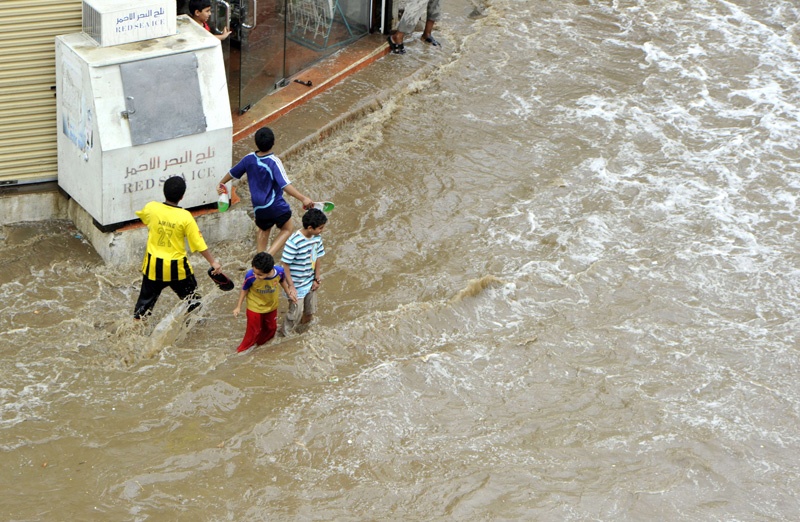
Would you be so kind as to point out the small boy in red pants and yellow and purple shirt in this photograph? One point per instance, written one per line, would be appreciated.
(261, 290)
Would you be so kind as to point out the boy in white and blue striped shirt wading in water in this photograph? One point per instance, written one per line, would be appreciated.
(301, 261)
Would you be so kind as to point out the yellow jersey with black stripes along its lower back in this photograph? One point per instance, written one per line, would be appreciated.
(168, 228)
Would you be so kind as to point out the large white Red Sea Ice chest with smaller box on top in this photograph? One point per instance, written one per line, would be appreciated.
(142, 96)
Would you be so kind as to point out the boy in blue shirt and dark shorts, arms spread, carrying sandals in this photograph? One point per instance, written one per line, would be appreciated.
(267, 181)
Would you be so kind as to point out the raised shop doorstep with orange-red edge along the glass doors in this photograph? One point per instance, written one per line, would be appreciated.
(308, 83)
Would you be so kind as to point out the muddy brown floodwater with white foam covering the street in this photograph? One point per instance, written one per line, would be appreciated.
(561, 284)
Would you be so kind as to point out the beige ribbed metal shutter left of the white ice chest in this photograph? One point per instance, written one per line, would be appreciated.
(27, 80)
